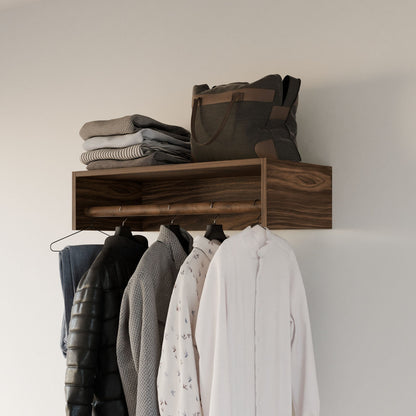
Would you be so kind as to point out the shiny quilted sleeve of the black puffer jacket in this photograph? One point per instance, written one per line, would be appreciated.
(83, 342)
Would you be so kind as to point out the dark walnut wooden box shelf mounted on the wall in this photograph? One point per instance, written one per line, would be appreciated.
(284, 195)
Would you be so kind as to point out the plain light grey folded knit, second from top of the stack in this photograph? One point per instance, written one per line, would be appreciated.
(124, 140)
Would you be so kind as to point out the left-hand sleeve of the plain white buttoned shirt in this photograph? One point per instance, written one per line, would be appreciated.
(212, 340)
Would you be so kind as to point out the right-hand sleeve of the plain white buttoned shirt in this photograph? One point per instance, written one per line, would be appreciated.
(305, 395)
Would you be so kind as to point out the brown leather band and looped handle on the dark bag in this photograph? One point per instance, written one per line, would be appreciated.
(244, 94)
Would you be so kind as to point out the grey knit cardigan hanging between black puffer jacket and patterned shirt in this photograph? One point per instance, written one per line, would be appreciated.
(142, 320)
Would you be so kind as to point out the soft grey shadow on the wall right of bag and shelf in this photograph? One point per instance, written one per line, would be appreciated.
(364, 129)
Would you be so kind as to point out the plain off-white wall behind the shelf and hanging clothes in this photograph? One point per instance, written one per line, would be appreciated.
(64, 63)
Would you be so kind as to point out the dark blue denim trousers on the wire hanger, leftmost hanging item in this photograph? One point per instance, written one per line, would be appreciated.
(74, 261)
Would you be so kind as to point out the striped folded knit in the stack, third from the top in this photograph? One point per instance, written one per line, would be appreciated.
(133, 152)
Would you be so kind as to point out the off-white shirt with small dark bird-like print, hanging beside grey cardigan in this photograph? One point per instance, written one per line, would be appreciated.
(177, 382)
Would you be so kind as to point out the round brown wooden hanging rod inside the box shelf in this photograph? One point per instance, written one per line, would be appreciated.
(197, 208)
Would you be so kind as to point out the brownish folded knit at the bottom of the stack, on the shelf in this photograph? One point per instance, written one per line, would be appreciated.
(156, 158)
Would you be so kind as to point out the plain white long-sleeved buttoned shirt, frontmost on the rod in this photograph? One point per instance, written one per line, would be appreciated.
(253, 333)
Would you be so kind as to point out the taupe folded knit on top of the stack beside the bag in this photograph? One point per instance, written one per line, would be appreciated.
(127, 125)
